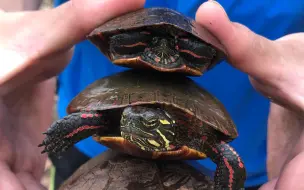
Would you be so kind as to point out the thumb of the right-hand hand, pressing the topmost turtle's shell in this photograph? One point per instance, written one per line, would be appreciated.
(245, 50)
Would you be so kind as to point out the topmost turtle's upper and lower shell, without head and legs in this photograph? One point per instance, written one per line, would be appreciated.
(157, 21)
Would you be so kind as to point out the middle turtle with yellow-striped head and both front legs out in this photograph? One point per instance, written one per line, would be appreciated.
(152, 115)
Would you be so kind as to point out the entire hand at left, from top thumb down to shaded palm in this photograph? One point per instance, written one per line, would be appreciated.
(35, 46)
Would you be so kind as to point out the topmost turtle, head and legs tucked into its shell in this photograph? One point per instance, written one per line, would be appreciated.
(158, 38)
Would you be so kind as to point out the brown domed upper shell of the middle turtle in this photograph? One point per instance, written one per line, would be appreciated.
(135, 87)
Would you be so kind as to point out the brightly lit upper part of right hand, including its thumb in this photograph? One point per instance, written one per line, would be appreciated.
(275, 67)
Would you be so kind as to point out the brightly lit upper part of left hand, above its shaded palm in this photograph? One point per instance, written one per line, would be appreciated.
(32, 42)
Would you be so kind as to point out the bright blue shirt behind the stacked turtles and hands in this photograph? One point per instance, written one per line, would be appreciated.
(248, 108)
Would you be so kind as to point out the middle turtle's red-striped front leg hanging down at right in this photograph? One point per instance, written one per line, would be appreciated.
(230, 172)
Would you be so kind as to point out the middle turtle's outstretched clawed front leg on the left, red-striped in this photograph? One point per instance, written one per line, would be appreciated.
(64, 133)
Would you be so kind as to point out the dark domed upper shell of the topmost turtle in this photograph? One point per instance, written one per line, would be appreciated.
(154, 18)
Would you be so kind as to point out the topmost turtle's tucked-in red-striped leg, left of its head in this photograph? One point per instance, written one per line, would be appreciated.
(129, 43)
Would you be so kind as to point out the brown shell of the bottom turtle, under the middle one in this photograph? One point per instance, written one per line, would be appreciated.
(119, 171)
